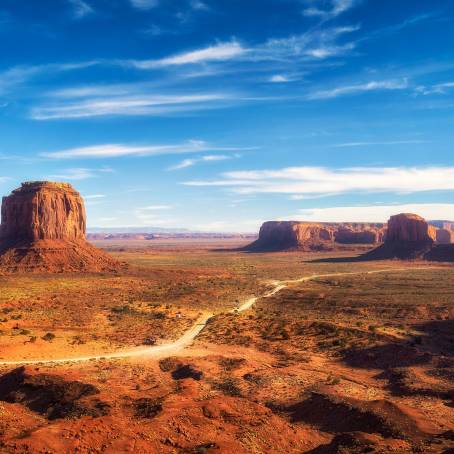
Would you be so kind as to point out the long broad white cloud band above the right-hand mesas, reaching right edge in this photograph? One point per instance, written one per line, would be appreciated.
(327, 181)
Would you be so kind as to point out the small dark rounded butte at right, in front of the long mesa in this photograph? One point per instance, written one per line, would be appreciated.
(409, 236)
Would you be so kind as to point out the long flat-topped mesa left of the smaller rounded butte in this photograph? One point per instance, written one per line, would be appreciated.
(309, 236)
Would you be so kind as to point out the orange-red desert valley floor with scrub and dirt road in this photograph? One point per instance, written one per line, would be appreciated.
(333, 355)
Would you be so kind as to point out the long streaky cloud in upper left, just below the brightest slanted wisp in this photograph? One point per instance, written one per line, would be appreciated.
(128, 105)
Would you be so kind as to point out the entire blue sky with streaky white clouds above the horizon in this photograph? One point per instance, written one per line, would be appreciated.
(219, 115)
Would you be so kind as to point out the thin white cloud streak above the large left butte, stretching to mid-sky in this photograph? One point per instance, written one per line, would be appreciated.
(119, 150)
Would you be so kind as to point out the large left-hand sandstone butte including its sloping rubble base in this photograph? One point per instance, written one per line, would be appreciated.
(43, 230)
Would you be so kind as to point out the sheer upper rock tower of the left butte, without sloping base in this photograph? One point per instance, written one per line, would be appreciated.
(43, 210)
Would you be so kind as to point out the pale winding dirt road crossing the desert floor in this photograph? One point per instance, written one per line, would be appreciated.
(186, 340)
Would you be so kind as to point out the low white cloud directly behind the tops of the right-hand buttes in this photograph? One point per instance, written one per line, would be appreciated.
(375, 213)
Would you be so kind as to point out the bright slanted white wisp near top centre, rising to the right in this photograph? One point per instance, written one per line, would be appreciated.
(218, 52)
